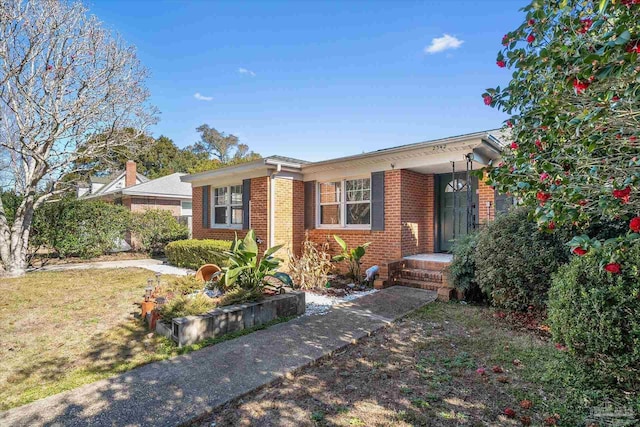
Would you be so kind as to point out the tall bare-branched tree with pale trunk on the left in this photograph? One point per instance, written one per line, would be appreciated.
(64, 80)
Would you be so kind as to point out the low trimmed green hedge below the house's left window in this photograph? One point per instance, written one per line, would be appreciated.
(195, 253)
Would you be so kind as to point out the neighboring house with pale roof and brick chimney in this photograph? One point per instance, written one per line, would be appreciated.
(138, 193)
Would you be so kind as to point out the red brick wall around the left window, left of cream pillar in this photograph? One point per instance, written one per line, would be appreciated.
(259, 214)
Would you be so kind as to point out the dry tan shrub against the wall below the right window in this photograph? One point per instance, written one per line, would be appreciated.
(310, 270)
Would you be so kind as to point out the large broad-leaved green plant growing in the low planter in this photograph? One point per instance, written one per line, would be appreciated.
(248, 271)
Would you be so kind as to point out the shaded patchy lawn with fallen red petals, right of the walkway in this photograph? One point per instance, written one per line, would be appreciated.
(423, 370)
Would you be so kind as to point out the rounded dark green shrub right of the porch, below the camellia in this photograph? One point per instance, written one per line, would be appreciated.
(514, 261)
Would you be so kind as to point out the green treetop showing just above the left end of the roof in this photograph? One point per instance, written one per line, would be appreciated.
(225, 148)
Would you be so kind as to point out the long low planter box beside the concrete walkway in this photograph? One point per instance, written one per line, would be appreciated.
(191, 329)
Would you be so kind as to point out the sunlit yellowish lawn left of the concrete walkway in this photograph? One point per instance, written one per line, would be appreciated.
(59, 330)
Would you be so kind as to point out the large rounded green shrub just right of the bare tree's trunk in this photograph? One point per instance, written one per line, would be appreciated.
(84, 228)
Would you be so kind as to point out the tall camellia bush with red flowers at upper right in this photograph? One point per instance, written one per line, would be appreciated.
(573, 103)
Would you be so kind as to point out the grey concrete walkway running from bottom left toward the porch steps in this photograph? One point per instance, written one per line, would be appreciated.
(178, 390)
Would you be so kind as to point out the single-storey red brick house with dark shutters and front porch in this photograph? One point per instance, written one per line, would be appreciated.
(409, 201)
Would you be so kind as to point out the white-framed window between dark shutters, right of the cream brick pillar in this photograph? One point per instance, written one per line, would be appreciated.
(345, 203)
